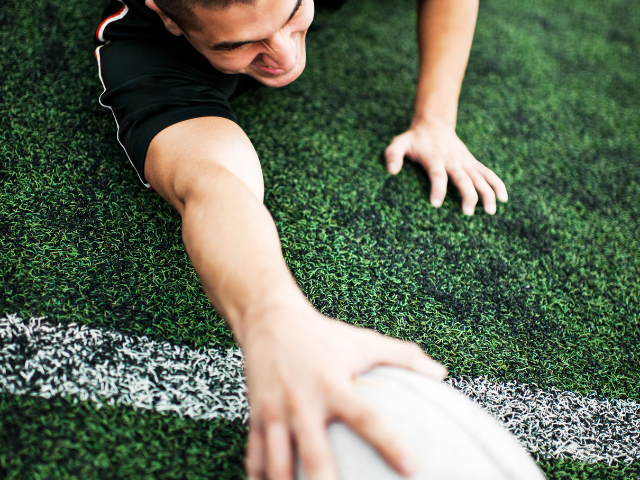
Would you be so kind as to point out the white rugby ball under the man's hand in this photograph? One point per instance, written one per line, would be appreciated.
(452, 437)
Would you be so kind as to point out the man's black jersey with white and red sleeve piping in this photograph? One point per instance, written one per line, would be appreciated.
(153, 79)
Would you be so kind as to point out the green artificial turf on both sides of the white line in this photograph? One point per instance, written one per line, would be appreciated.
(546, 291)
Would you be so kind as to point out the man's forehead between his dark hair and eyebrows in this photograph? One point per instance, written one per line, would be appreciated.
(243, 22)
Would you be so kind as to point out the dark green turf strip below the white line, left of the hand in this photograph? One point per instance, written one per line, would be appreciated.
(59, 439)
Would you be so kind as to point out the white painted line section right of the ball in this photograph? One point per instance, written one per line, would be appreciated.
(557, 424)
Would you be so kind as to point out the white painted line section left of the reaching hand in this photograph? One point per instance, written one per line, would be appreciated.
(43, 359)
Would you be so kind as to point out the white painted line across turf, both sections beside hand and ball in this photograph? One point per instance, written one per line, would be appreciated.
(47, 360)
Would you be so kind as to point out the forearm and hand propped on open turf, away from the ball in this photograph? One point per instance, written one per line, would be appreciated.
(445, 33)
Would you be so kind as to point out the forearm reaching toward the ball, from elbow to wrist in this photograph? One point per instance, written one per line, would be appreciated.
(233, 244)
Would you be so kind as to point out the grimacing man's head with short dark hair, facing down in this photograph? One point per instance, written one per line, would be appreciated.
(261, 38)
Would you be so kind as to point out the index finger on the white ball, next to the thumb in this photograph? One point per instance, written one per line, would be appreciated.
(368, 424)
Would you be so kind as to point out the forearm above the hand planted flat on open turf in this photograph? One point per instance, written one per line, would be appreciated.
(445, 33)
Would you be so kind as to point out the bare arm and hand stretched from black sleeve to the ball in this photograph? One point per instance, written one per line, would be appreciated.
(299, 364)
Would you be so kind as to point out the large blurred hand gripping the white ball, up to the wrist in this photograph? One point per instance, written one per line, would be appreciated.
(300, 368)
